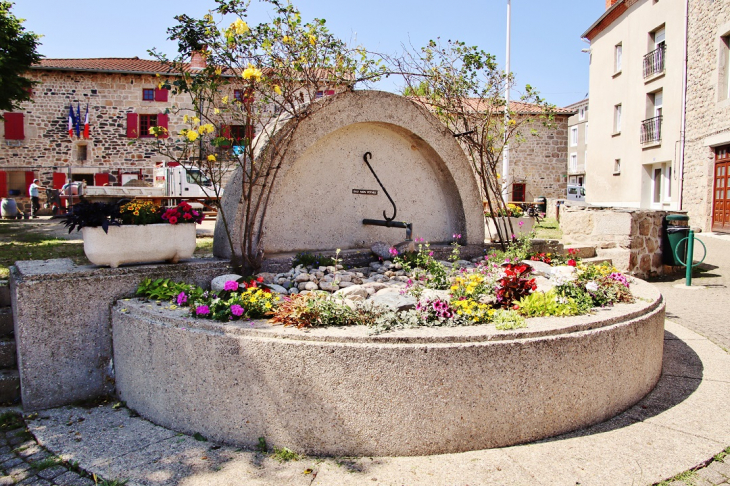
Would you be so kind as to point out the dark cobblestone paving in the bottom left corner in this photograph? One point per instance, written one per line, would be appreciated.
(23, 461)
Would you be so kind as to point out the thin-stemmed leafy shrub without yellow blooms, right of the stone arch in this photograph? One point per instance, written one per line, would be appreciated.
(464, 87)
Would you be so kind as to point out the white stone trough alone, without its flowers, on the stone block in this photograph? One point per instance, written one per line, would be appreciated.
(139, 244)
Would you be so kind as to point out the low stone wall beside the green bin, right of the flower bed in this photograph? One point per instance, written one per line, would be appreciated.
(632, 238)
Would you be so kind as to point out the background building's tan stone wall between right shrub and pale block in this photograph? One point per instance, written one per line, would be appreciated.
(541, 160)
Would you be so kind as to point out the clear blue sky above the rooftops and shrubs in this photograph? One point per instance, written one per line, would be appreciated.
(546, 44)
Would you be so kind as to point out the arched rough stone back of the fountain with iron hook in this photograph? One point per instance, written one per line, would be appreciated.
(417, 159)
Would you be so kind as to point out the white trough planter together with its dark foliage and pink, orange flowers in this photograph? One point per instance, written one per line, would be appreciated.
(135, 232)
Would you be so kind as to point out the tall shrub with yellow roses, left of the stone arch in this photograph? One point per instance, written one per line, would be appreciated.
(270, 77)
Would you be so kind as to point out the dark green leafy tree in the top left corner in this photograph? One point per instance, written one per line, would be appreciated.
(18, 51)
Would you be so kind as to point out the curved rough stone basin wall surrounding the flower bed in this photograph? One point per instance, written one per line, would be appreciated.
(341, 391)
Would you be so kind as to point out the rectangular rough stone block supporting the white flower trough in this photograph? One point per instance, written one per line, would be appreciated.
(61, 314)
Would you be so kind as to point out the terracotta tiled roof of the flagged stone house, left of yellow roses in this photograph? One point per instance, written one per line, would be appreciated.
(131, 65)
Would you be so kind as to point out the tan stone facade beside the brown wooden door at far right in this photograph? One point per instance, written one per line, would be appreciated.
(708, 105)
